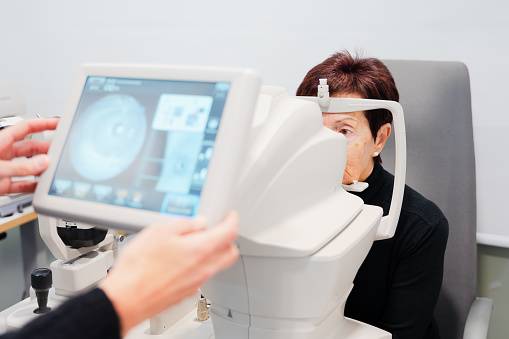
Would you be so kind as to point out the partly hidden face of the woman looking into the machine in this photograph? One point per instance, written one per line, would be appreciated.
(360, 143)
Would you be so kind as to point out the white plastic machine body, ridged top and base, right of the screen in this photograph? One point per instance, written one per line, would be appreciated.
(302, 237)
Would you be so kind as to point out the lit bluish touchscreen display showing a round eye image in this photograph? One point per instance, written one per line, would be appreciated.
(142, 144)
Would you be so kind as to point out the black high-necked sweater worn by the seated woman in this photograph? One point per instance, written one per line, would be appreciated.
(397, 286)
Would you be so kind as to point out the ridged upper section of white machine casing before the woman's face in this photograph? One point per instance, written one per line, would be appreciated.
(289, 179)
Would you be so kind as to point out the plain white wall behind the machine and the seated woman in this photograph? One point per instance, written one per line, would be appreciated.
(43, 43)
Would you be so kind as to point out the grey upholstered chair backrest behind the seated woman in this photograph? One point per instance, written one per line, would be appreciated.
(441, 166)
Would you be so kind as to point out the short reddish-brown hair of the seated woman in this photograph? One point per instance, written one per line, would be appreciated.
(346, 74)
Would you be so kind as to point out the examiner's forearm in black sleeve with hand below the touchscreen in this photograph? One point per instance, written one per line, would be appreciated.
(162, 265)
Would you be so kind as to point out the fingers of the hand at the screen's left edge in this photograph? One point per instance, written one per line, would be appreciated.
(13, 145)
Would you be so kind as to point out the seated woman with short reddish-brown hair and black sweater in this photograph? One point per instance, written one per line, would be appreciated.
(398, 284)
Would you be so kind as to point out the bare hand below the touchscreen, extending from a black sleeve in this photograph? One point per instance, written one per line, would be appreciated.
(167, 262)
